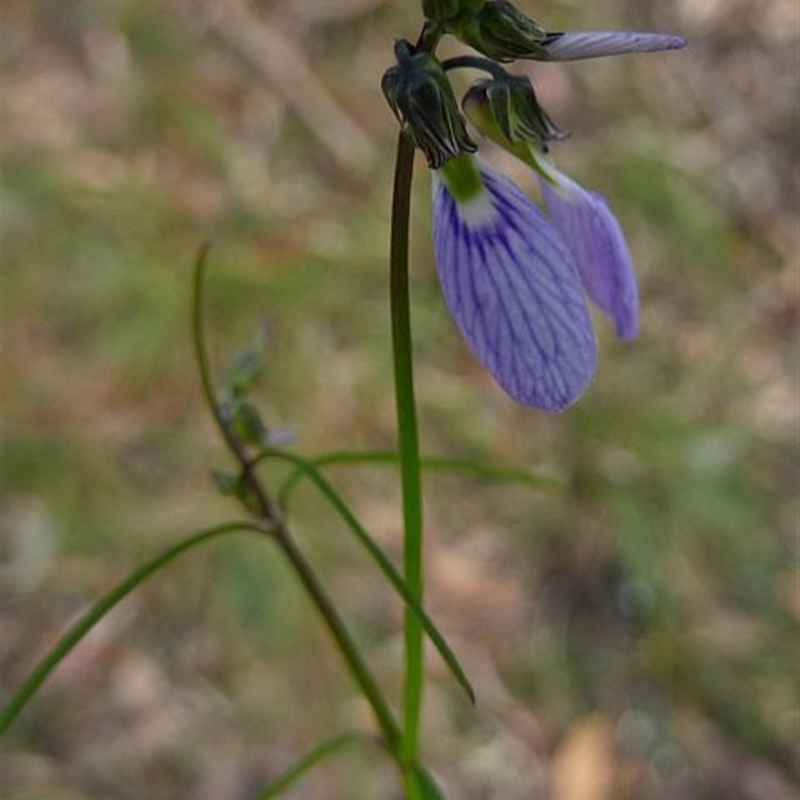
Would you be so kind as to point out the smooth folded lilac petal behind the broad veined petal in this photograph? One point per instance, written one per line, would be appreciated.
(598, 245)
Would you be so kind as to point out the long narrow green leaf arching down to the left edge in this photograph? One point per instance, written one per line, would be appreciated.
(73, 636)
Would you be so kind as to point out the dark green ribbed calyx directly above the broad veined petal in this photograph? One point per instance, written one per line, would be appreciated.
(419, 93)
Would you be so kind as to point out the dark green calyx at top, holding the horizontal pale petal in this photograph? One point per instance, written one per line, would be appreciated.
(501, 32)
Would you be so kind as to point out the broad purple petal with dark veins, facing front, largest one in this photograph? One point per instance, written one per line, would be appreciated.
(514, 291)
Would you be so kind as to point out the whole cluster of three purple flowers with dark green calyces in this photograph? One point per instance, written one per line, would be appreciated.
(515, 278)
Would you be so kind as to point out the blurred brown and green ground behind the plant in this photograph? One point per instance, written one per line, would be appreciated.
(631, 630)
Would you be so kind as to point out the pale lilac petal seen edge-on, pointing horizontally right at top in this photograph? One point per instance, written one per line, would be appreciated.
(576, 45)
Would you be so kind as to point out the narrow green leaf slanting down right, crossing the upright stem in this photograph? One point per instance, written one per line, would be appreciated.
(383, 562)
